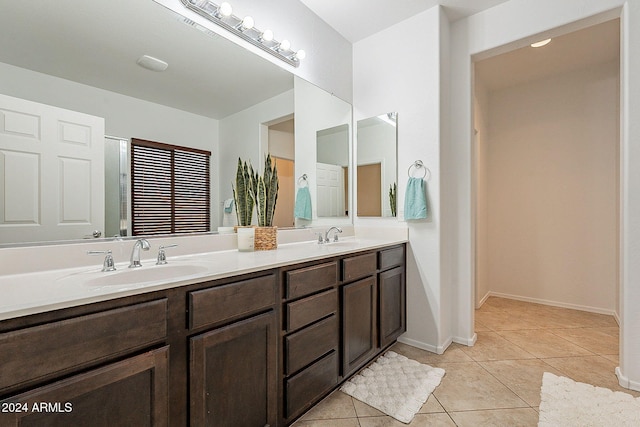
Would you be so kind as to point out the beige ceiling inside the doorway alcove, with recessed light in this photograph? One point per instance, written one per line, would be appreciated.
(580, 49)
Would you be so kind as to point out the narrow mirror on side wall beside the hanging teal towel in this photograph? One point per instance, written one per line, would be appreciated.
(377, 166)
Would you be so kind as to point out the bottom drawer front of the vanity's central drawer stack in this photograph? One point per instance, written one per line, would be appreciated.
(304, 389)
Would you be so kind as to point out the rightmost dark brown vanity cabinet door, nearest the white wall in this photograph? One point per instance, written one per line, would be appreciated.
(392, 296)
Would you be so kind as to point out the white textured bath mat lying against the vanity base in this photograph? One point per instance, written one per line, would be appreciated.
(395, 385)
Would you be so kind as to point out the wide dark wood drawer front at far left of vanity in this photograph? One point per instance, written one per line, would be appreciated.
(42, 352)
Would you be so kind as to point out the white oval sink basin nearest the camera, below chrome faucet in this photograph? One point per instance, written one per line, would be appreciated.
(145, 274)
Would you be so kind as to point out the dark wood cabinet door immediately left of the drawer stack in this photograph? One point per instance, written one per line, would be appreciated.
(233, 374)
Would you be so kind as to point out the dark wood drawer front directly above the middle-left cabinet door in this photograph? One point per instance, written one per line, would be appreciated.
(214, 305)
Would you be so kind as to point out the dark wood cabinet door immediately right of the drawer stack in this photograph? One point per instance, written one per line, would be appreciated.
(358, 323)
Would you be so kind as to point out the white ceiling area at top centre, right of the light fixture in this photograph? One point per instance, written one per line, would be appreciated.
(358, 19)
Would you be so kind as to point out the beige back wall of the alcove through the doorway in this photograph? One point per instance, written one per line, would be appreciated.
(552, 194)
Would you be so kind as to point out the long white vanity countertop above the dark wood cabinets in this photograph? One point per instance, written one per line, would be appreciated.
(37, 292)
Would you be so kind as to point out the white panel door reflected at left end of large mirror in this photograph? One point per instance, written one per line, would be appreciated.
(51, 172)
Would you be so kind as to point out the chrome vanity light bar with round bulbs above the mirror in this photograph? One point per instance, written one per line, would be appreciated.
(244, 28)
